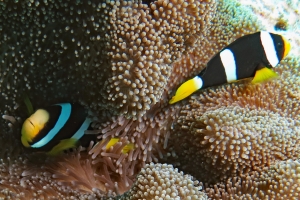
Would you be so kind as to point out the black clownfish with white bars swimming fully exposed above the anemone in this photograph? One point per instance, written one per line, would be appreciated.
(253, 55)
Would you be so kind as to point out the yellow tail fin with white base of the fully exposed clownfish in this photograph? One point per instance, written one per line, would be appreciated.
(186, 89)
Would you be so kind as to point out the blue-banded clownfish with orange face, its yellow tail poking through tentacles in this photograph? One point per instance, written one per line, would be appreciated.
(59, 127)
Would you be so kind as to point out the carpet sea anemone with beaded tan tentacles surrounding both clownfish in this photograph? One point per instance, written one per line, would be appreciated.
(123, 60)
